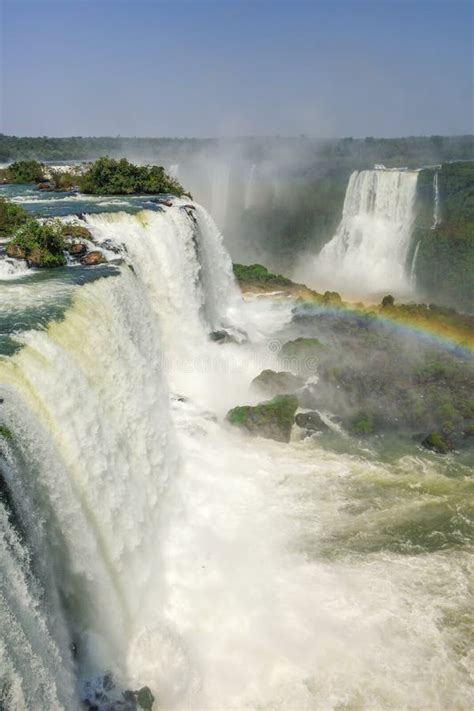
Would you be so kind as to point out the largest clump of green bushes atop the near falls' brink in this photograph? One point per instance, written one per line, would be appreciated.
(120, 177)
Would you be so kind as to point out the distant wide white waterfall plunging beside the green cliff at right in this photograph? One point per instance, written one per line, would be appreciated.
(368, 253)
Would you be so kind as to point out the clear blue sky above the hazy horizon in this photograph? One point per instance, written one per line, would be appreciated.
(236, 67)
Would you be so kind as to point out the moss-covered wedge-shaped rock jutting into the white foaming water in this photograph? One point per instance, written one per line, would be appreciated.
(272, 419)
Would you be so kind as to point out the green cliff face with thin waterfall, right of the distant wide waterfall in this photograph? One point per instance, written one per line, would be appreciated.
(444, 231)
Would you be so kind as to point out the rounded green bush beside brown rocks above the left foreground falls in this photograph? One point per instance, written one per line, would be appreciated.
(40, 244)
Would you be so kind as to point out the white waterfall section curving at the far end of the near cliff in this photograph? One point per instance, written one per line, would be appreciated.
(179, 256)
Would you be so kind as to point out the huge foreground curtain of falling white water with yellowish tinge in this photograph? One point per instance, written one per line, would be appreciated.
(87, 405)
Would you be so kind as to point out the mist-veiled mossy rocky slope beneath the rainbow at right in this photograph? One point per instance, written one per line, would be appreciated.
(379, 377)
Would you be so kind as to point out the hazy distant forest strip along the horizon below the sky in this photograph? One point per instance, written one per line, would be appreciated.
(345, 153)
